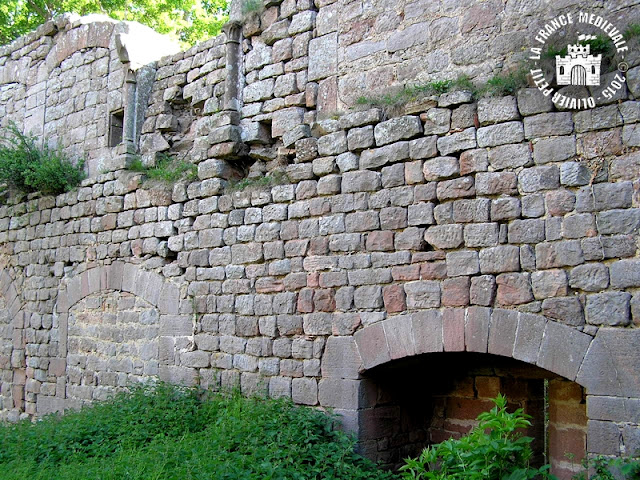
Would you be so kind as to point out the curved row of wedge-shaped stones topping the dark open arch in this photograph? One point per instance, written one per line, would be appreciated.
(530, 338)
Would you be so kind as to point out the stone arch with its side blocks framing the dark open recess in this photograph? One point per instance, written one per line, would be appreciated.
(603, 365)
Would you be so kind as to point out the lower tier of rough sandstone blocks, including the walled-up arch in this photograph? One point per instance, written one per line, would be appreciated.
(267, 289)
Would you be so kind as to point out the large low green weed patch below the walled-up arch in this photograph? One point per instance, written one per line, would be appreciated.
(166, 432)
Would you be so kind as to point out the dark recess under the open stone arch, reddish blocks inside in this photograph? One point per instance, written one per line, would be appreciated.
(426, 399)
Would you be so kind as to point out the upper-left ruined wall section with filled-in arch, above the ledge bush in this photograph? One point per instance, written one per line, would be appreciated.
(62, 82)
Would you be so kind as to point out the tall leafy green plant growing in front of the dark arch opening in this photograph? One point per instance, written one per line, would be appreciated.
(493, 450)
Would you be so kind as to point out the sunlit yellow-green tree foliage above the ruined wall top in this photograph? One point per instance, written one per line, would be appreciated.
(189, 21)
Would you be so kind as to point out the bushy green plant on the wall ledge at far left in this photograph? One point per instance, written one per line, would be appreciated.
(26, 167)
